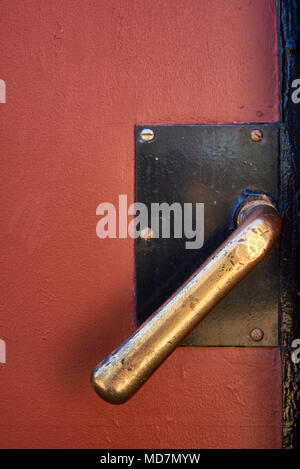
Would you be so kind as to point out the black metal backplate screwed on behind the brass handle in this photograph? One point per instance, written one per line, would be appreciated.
(210, 164)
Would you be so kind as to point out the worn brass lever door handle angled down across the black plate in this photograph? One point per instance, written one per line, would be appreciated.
(124, 371)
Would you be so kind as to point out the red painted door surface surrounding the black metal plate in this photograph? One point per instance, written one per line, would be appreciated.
(79, 75)
